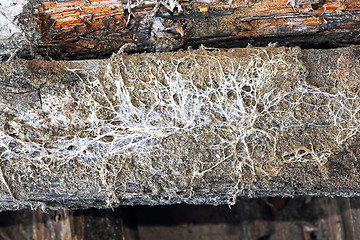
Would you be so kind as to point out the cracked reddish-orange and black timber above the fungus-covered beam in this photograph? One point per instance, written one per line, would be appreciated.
(97, 28)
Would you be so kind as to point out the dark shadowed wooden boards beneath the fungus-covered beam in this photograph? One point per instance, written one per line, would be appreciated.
(303, 218)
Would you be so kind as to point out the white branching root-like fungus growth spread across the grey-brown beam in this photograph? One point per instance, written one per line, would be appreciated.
(157, 124)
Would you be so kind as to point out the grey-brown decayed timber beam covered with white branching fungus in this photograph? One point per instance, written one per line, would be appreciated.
(201, 126)
